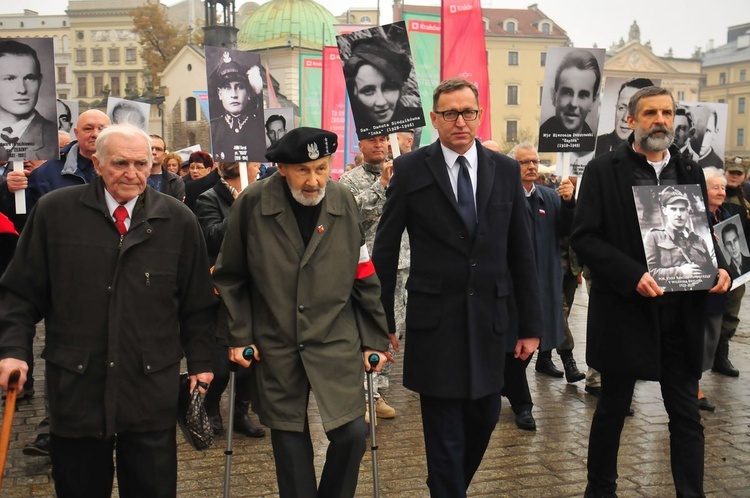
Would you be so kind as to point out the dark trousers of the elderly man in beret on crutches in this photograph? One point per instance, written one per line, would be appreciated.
(295, 470)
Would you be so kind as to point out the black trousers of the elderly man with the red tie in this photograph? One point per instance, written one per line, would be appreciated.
(146, 465)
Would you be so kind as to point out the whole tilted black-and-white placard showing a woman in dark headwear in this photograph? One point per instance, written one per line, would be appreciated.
(380, 80)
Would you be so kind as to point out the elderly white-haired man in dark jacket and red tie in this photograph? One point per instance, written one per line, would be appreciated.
(125, 291)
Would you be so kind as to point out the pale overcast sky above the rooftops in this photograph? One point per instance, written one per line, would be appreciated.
(681, 25)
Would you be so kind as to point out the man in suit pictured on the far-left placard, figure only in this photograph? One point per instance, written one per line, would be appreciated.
(24, 132)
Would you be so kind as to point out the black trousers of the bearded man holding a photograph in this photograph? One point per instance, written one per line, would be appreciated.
(678, 387)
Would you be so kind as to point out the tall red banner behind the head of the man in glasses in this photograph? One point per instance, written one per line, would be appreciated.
(464, 54)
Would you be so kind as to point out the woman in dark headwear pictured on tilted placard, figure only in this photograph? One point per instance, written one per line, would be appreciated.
(376, 73)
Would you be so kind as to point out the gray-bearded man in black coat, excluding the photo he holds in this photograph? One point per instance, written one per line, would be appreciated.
(635, 330)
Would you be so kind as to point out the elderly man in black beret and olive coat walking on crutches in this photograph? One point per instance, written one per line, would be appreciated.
(296, 278)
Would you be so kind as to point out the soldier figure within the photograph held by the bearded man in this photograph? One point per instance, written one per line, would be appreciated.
(676, 252)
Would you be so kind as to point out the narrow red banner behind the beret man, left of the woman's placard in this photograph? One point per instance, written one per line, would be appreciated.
(334, 104)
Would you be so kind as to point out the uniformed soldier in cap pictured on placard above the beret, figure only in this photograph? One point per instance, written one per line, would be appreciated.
(239, 129)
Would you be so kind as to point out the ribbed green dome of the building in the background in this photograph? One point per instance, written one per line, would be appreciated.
(280, 23)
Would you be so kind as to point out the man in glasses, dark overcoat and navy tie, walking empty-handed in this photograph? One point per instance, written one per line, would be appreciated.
(471, 259)
